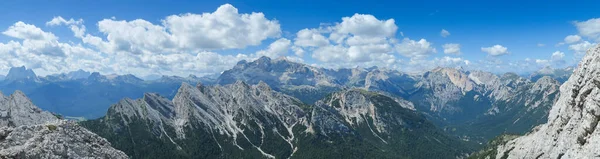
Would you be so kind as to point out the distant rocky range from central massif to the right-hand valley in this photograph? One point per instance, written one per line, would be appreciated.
(472, 104)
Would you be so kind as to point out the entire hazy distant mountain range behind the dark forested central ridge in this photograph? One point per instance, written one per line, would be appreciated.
(474, 105)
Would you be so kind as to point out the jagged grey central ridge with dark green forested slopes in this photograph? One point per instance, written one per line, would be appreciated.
(253, 121)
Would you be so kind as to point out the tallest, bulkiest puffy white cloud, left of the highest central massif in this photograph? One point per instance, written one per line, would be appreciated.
(224, 28)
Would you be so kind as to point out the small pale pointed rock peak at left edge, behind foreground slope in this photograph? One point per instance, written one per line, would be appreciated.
(17, 110)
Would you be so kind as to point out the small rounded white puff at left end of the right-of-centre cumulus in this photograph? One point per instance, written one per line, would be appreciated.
(310, 37)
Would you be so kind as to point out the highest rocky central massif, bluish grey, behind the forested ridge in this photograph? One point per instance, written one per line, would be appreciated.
(305, 82)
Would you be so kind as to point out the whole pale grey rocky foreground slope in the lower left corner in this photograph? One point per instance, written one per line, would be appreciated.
(28, 132)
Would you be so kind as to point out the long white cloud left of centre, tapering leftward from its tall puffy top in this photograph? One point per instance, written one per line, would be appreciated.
(224, 28)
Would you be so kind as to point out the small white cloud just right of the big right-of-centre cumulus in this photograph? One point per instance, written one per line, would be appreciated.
(415, 49)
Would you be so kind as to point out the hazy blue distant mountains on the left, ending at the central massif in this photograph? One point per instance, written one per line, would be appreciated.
(85, 94)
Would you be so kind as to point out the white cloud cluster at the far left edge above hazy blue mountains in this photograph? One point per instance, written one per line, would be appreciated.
(42, 51)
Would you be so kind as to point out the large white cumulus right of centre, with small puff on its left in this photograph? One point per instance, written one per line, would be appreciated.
(361, 39)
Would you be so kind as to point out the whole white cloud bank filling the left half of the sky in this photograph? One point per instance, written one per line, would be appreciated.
(179, 45)
